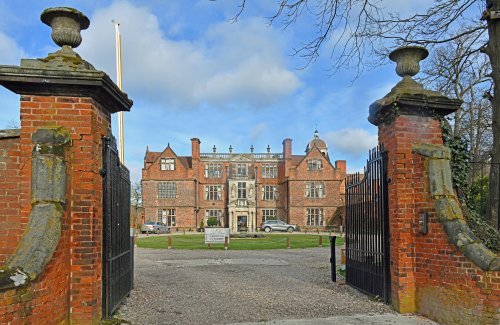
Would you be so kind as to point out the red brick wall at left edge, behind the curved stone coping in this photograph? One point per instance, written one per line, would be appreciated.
(10, 168)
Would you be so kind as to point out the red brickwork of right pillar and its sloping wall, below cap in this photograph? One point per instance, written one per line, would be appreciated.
(429, 274)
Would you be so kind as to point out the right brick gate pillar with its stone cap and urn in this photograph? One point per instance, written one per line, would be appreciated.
(407, 116)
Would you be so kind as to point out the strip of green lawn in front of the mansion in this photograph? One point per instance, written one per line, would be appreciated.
(270, 241)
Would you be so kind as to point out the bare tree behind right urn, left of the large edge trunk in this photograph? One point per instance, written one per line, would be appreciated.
(456, 72)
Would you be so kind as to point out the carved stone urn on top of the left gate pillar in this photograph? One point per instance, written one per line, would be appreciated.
(66, 25)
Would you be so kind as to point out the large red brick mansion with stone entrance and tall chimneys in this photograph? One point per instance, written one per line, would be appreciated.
(240, 190)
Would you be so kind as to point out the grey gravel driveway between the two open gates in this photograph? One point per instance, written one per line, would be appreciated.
(221, 287)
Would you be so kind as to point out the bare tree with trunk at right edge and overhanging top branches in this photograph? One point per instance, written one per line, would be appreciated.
(360, 32)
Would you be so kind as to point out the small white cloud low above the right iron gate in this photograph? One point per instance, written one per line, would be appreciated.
(354, 143)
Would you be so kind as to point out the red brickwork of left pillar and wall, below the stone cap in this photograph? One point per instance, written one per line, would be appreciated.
(72, 279)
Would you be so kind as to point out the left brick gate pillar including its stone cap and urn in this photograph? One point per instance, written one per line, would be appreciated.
(63, 91)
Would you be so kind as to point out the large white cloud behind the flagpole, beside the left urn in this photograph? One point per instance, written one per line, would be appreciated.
(229, 64)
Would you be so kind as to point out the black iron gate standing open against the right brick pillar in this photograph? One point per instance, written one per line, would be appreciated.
(367, 228)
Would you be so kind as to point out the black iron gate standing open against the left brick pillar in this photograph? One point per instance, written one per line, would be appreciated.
(118, 259)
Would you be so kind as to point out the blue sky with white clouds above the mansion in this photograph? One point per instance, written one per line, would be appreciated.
(193, 73)
